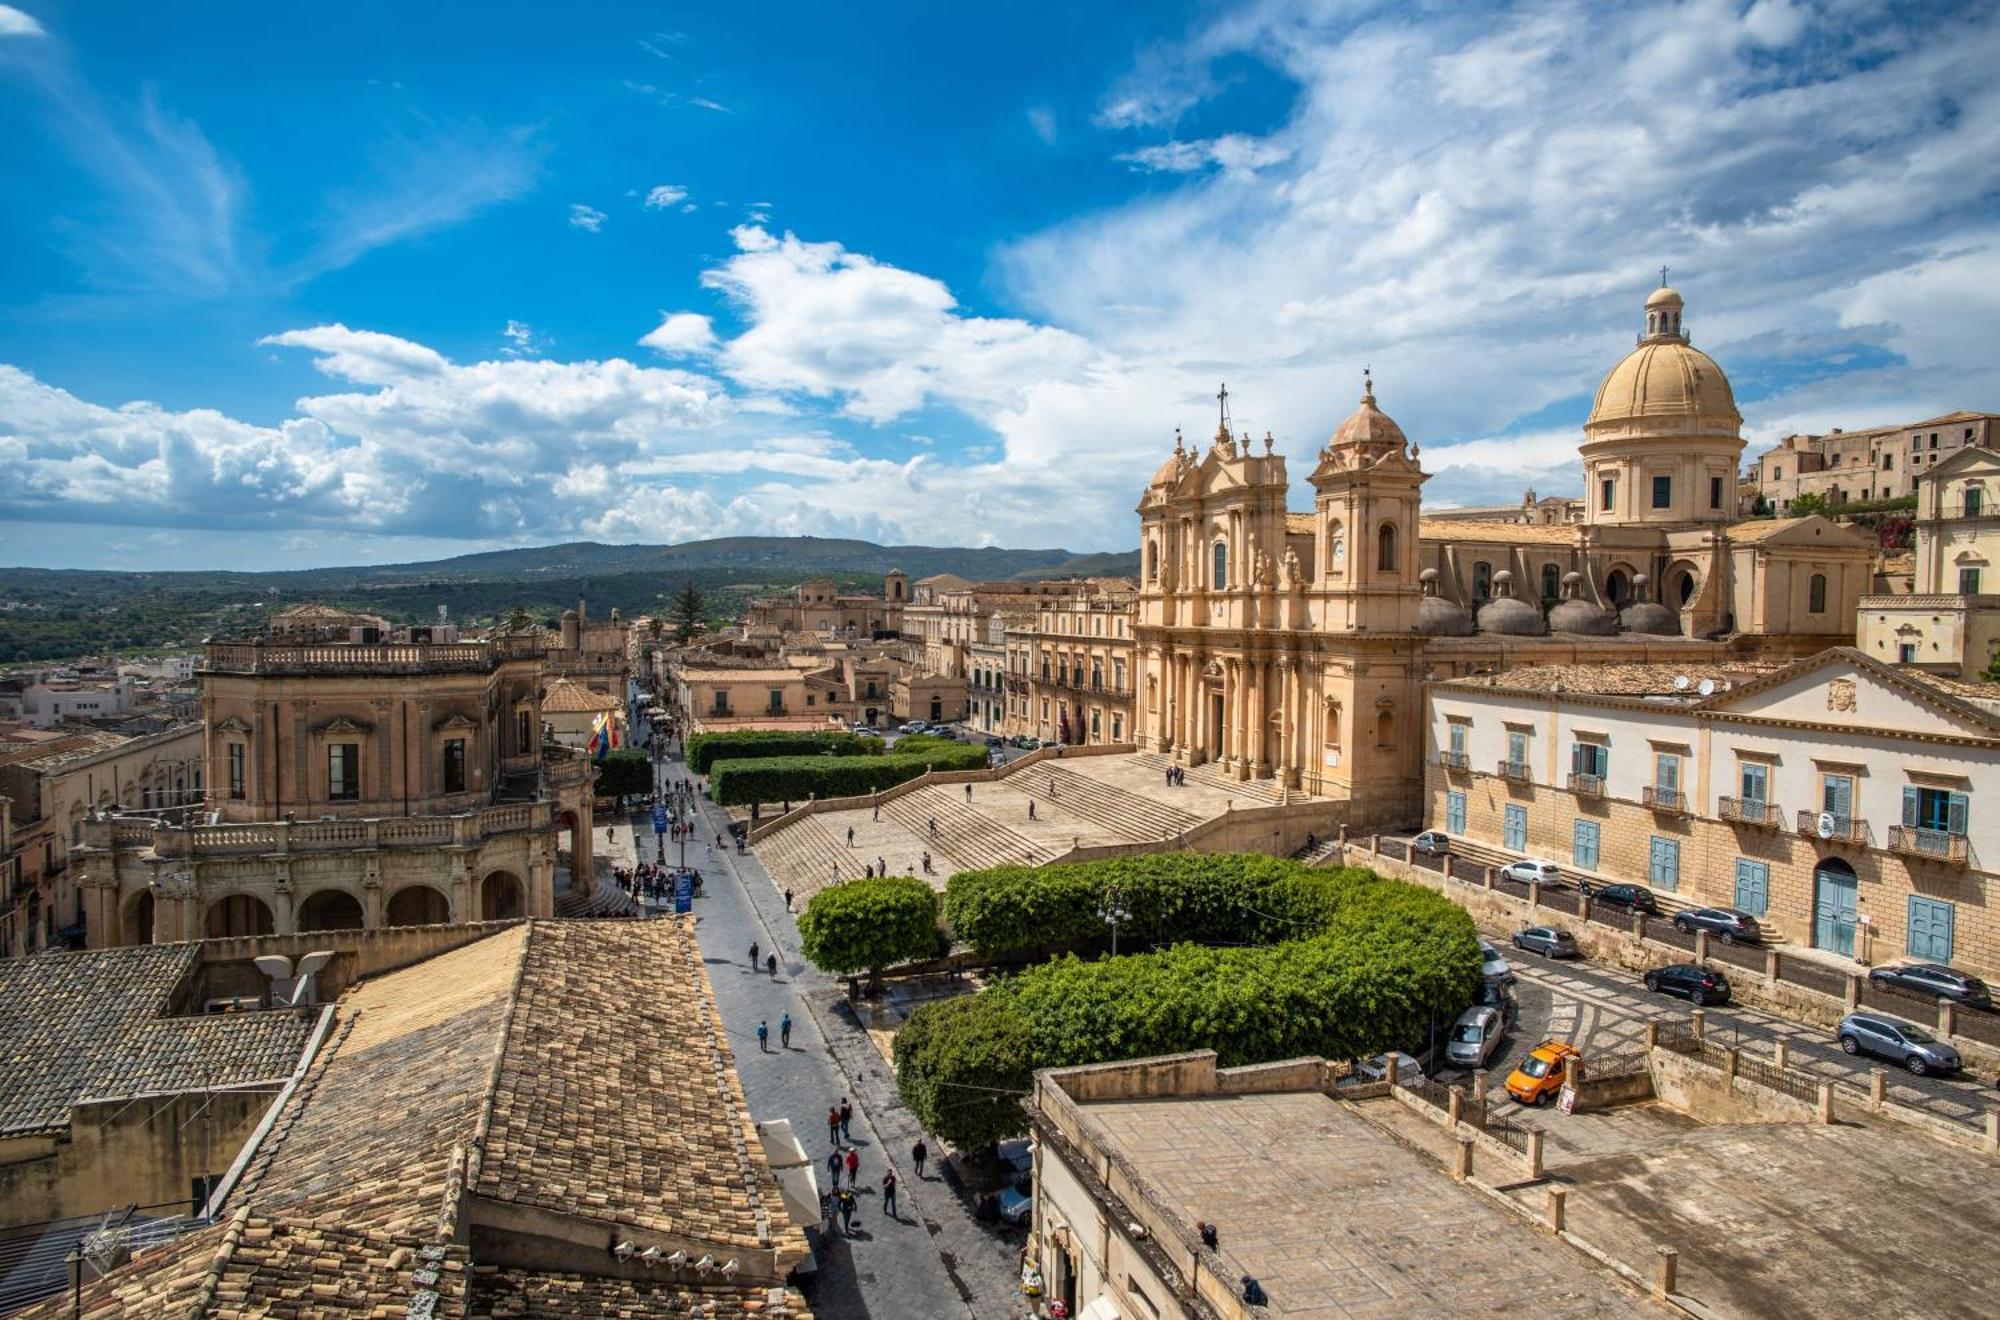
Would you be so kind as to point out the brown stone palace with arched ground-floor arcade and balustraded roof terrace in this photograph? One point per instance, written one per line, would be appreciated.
(353, 785)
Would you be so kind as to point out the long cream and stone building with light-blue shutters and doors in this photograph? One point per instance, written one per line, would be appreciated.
(1835, 799)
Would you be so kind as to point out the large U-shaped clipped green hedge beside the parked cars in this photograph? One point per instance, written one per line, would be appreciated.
(1363, 967)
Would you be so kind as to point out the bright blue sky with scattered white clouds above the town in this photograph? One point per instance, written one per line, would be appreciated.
(371, 283)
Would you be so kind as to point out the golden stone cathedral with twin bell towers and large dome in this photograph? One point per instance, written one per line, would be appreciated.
(1297, 647)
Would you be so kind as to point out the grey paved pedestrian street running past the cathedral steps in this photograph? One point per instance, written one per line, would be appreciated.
(935, 1259)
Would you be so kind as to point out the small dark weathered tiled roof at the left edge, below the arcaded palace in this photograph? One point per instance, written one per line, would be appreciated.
(93, 1027)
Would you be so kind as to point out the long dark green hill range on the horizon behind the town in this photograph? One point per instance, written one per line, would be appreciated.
(57, 613)
